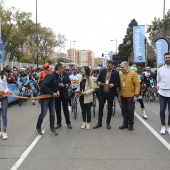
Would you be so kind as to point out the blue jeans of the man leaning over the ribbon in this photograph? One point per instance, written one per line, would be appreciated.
(45, 104)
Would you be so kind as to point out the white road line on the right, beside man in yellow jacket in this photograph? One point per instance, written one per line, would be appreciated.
(160, 138)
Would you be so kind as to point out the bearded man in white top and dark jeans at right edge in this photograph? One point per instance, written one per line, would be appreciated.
(163, 86)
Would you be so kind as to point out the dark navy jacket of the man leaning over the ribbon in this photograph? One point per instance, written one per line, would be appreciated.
(50, 83)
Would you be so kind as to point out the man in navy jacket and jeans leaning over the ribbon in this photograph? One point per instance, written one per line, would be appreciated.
(49, 86)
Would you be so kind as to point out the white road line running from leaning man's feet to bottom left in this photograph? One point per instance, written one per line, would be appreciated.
(27, 151)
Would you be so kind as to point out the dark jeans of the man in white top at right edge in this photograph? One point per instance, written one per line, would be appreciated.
(163, 101)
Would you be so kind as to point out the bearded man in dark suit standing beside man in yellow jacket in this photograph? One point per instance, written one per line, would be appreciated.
(108, 81)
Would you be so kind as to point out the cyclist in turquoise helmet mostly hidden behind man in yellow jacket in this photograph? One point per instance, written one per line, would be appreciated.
(140, 100)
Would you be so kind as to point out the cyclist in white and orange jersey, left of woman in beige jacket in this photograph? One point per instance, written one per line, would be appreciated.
(74, 78)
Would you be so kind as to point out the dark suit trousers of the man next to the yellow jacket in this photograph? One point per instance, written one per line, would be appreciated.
(102, 99)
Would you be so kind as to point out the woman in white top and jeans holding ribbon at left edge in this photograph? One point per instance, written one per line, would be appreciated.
(4, 105)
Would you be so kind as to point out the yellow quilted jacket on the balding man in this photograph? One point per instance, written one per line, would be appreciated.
(129, 84)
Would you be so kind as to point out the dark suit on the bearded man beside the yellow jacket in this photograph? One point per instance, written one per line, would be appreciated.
(103, 96)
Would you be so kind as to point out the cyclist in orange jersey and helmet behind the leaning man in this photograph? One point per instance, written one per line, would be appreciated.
(43, 73)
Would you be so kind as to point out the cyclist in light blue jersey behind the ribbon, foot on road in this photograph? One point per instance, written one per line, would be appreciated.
(23, 80)
